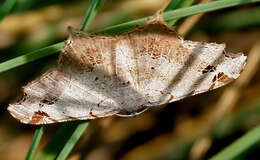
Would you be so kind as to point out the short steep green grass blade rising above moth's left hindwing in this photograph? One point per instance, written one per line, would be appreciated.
(91, 13)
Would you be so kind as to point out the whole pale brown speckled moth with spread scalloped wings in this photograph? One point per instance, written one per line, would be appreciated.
(100, 76)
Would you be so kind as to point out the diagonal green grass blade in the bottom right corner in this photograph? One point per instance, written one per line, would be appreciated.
(240, 146)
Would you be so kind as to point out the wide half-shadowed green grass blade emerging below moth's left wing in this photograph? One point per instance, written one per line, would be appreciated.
(69, 132)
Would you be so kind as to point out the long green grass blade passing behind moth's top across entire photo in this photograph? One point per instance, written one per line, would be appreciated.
(170, 15)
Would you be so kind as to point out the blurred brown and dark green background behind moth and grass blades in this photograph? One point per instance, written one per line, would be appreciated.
(193, 128)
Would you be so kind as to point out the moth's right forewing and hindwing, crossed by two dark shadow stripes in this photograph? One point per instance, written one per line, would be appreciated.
(170, 68)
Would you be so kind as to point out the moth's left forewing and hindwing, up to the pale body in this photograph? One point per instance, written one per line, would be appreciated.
(82, 87)
